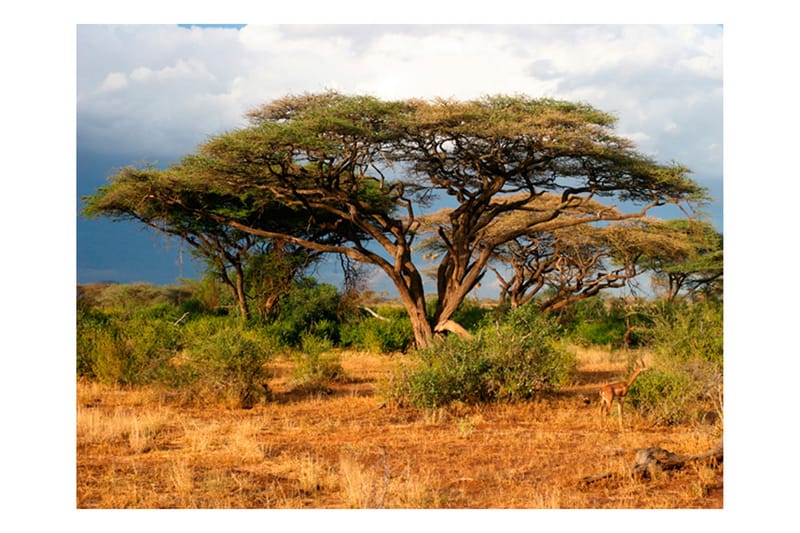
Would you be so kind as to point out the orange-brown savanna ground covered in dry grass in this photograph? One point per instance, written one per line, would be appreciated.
(139, 448)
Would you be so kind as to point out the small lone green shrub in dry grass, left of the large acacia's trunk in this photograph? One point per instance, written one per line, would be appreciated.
(316, 365)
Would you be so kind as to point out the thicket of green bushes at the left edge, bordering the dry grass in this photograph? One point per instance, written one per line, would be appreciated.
(207, 358)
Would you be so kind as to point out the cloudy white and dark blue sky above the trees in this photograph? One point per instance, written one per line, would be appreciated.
(153, 93)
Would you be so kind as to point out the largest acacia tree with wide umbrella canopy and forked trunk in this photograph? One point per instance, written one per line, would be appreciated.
(364, 170)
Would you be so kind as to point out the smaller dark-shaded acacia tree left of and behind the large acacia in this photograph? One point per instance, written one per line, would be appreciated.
(250, 266)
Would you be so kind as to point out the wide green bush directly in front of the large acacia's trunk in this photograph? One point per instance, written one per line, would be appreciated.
(512, 360)
